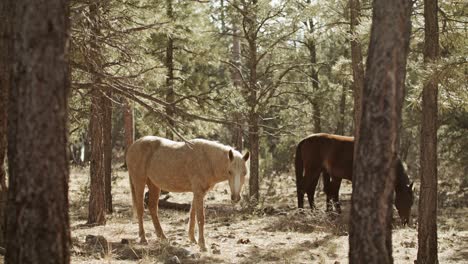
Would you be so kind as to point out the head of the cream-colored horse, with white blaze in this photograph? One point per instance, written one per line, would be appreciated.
(237, 171)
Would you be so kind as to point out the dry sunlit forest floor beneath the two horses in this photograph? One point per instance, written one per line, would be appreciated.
(273, 232)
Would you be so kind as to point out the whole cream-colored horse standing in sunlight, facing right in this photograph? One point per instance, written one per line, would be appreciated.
(180, 167)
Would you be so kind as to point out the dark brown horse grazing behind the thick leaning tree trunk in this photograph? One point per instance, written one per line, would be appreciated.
(332, 155)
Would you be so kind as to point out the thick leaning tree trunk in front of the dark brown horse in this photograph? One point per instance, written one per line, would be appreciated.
(370, 238)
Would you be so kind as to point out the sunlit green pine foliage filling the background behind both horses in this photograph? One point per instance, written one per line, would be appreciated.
(134, 37)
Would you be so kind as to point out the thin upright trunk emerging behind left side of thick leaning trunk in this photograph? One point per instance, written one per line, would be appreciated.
(358, 67)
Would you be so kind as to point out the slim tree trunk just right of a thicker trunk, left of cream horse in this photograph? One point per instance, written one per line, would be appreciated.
(107, 142)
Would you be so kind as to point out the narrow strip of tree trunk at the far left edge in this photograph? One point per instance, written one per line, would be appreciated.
(6, 62)
